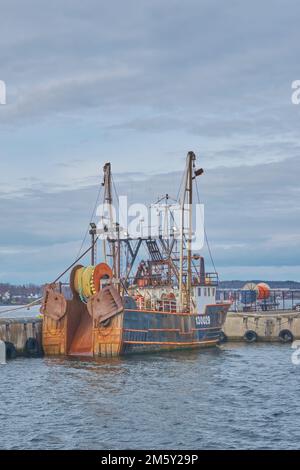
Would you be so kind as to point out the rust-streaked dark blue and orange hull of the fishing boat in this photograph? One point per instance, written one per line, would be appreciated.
(134, 331)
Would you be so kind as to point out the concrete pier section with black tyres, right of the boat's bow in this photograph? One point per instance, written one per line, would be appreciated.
(267, 326)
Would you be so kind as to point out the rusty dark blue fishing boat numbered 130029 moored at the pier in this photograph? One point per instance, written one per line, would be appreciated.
(149, 293)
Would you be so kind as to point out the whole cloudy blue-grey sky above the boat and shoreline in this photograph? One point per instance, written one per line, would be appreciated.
(140, 83)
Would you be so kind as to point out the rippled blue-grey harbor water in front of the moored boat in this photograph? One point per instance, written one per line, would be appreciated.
(237, 396)
